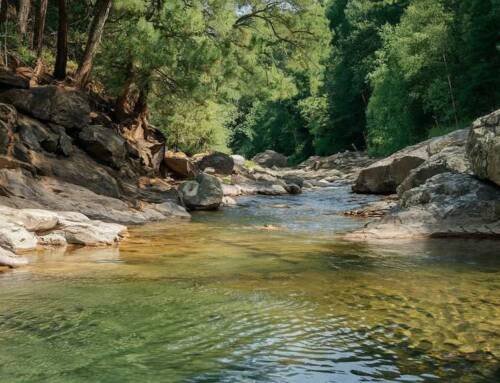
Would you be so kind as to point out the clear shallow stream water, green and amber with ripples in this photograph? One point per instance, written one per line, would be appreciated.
(221, 300)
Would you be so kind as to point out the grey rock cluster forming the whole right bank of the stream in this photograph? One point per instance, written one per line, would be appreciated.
(447, 186)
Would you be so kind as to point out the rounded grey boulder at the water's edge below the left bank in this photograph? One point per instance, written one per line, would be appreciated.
(205, 193)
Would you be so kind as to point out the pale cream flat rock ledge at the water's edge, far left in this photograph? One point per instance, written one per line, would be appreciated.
(23, 230)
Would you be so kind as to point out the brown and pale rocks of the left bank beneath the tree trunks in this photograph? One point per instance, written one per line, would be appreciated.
(63, 156)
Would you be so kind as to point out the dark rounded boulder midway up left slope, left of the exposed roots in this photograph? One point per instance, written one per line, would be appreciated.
(104, 145)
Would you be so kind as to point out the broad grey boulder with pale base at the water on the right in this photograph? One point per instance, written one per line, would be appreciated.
(446, 205)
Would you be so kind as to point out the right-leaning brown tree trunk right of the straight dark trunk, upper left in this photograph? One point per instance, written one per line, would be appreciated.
(95, 34)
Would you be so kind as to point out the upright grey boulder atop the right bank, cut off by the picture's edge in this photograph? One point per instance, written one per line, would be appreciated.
(483, 147)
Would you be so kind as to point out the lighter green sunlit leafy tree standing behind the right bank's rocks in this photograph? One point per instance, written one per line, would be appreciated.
(412, 83)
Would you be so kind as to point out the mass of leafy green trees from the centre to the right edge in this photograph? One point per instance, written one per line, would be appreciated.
(398, 71)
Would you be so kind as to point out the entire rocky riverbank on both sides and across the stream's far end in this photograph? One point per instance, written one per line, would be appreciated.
(72, 173)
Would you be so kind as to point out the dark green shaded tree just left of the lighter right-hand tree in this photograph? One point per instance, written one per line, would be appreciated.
(355, 25)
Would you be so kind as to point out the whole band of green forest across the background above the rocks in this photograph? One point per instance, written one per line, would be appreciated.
(302, 77)
